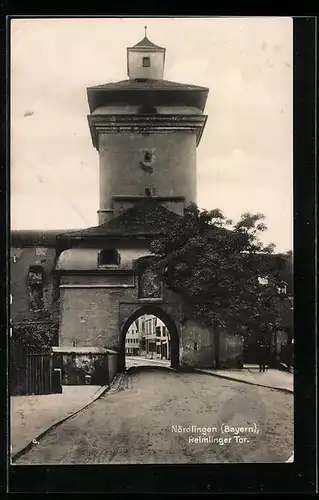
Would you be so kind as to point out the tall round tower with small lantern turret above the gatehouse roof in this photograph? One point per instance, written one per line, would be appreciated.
(146, 130)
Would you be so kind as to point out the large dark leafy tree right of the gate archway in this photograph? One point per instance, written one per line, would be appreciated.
(213, 264)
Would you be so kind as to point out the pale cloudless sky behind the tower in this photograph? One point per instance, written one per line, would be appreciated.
(244, 159)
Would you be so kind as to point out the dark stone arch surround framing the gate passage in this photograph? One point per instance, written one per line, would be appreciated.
(159, 312)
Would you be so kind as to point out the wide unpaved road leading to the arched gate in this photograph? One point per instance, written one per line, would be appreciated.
(150, 421)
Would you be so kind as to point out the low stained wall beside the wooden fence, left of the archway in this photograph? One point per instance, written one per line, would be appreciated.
(80, 366)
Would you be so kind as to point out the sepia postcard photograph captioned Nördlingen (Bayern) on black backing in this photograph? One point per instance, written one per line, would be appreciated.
(151, 241)
